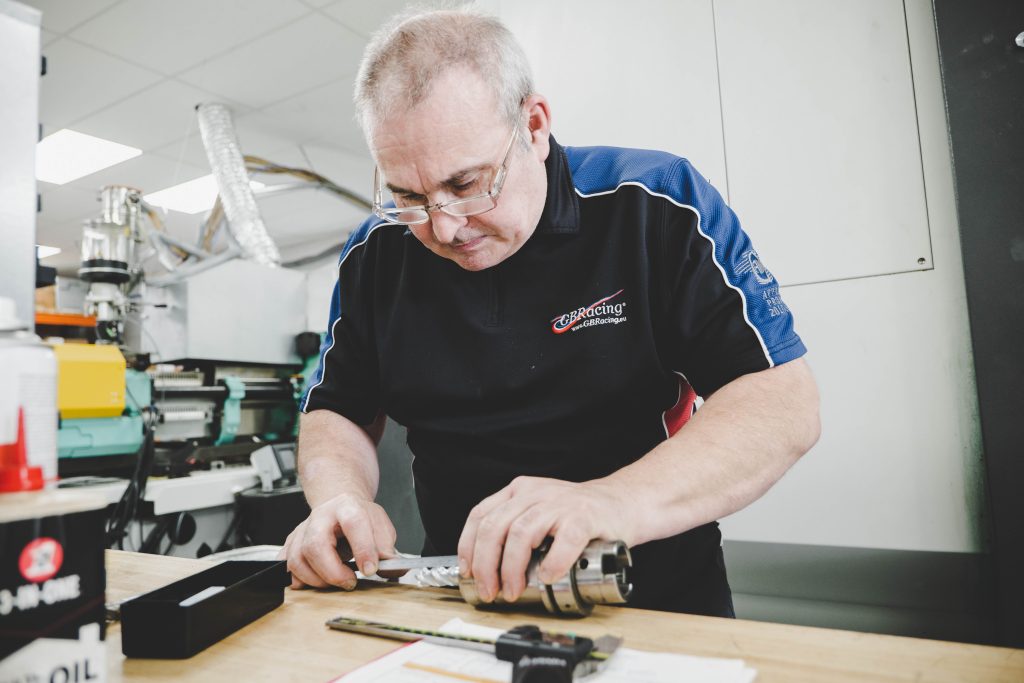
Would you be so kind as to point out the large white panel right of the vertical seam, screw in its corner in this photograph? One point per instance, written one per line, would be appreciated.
(822, 137)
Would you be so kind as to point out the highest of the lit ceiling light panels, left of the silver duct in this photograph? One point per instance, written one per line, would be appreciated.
(68, 155)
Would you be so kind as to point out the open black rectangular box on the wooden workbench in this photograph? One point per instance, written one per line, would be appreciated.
(156, 625)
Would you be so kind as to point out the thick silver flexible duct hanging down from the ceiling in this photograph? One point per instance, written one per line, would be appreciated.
(229, 167)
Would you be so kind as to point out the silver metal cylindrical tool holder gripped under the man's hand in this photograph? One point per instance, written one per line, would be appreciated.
(600, 577)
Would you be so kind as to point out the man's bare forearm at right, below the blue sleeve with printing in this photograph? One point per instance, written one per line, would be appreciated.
(740, 444)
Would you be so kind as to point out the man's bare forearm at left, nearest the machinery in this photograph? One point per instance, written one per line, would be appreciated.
(336, 456)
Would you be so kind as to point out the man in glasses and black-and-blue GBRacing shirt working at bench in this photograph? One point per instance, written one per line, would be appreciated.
(536, 316)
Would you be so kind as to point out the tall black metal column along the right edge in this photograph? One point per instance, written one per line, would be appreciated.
(984, 79)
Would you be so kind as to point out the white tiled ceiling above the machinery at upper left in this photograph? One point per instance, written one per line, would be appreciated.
(133, 72)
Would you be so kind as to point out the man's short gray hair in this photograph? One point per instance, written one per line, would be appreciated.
(415, 48)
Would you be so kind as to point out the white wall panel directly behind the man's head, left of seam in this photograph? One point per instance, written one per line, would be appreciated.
(638, 75)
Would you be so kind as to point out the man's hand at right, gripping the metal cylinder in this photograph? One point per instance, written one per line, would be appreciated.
(503, 530)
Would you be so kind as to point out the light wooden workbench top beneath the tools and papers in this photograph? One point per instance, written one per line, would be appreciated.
(292, 644)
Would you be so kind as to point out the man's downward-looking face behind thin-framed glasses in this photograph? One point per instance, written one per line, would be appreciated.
(448, 148)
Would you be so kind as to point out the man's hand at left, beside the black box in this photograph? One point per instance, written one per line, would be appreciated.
(346, 525)
